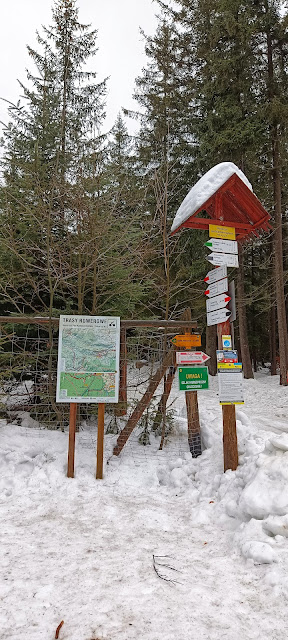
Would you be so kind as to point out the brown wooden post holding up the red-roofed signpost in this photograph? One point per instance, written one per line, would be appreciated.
(230, 447)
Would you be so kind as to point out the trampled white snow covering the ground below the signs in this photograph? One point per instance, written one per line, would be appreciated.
(81, 550)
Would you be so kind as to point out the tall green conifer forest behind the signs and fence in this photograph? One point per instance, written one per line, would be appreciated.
(86, 213)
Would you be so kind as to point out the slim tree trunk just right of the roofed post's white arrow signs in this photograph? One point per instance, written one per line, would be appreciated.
(243, 334)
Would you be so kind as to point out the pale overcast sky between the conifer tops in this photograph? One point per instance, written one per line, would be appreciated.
(120, 46)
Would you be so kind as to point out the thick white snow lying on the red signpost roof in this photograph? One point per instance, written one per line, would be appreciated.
(205, 188)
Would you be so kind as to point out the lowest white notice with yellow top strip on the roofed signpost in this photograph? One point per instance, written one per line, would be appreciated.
(230, 383)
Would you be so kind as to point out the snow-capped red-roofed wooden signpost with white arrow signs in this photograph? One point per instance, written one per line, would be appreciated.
(235, 214)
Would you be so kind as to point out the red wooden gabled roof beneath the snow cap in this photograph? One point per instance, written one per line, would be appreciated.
(232, 205)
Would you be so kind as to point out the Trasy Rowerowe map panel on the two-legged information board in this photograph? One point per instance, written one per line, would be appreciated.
(88, 359)
